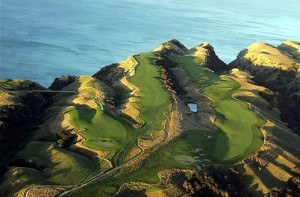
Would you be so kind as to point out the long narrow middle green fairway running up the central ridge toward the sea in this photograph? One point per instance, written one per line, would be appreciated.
(153, 99)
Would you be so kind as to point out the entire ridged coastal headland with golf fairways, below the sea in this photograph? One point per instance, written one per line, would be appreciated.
(169, 122)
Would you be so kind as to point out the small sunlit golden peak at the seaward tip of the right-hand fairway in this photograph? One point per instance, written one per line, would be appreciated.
(210, 60)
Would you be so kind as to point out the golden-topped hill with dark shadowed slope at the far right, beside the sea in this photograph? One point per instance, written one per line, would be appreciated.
(277, 68)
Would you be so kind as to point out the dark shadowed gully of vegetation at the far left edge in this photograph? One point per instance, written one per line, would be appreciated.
(17, 121)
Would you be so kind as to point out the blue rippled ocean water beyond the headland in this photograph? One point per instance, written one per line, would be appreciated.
(44, 39)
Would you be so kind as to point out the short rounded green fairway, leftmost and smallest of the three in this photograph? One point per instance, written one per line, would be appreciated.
(103, 130)
